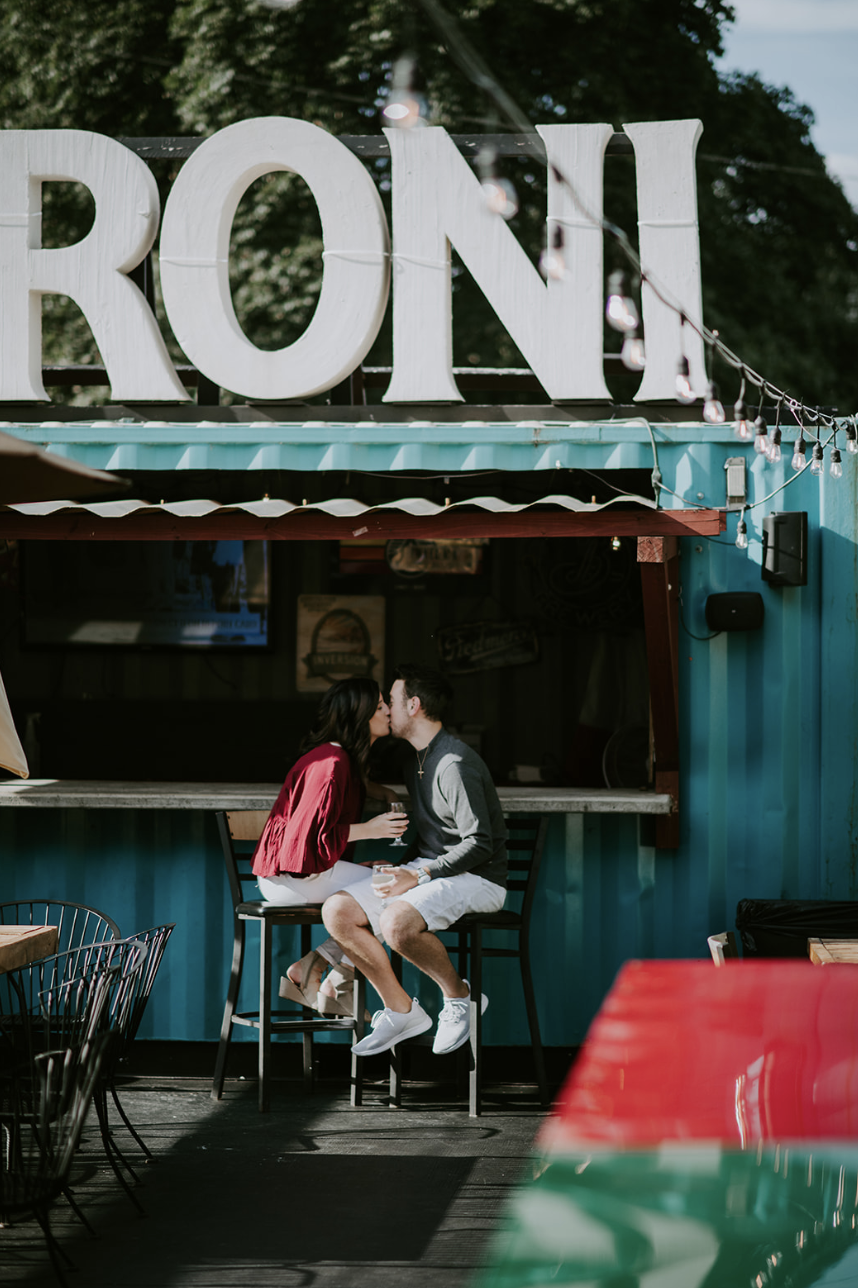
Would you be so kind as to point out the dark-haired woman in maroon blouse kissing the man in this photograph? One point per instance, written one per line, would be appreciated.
(306, 851)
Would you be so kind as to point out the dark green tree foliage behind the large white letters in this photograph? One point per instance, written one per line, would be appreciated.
(779, 239)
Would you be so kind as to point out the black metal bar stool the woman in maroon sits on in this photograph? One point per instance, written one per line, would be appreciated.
(239, 831)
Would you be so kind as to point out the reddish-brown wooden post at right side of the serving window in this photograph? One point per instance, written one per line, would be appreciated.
(659, 560)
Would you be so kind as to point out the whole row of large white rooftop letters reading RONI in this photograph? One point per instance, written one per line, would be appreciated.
(437, 204)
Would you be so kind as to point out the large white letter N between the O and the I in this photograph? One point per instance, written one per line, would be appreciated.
(437, 202)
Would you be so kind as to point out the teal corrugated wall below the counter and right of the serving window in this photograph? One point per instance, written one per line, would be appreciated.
(768, 790)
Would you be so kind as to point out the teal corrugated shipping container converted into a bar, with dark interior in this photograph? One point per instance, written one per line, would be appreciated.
(767, 717)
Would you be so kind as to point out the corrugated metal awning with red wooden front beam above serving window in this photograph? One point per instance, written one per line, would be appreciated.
(346, 518)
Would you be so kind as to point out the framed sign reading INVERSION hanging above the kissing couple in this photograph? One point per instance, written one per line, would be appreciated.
(339, 637)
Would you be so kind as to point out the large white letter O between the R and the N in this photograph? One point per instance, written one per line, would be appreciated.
(195, 252)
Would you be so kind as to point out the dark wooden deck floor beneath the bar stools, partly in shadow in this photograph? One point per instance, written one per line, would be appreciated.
(314, 1193)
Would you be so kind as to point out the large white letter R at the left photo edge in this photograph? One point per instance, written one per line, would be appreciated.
(93, 272)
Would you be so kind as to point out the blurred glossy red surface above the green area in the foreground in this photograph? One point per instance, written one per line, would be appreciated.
(685, 1052)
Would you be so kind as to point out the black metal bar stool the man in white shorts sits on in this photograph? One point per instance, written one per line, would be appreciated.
(525, 846)
